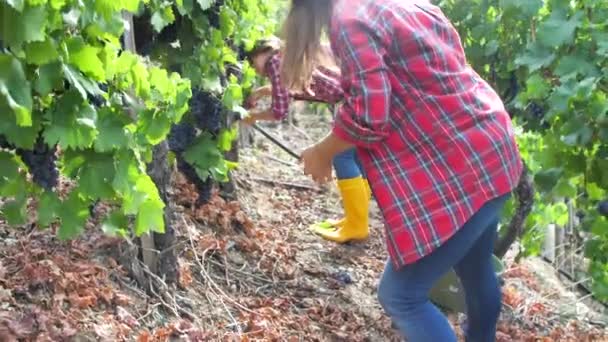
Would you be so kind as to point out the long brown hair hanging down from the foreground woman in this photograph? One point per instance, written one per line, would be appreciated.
(306, 22)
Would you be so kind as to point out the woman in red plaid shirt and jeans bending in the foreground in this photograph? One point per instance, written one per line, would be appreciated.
(435, 142)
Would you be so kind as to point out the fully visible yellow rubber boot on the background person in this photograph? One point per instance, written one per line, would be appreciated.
(355, 198)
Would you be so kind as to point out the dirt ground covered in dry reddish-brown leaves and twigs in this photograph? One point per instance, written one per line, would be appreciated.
(250, 271)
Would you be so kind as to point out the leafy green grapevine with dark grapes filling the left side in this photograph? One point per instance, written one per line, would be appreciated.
(71, 96)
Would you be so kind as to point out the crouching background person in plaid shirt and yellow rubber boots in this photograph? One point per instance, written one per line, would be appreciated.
(325, 87)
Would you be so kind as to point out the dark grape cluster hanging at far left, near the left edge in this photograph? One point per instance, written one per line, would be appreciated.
(42, 163)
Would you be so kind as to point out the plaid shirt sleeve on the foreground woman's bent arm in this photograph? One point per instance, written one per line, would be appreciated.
(363, 118)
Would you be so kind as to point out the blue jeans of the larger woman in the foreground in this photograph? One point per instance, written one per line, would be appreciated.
(404, 293)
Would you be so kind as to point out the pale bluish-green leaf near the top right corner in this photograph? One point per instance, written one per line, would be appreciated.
(558, 29)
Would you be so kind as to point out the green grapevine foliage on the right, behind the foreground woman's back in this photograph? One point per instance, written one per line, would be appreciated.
(549, 60)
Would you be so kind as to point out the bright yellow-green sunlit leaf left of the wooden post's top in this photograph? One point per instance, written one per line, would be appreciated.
(85, 58)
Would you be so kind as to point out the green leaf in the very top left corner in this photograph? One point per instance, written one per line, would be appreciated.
(17, 28)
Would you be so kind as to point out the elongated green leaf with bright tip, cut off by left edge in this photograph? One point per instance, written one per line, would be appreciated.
(15, 90)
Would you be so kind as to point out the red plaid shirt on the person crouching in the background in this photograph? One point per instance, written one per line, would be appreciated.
(325, 87)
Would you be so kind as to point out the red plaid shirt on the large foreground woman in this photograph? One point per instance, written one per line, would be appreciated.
(434, 138)
